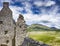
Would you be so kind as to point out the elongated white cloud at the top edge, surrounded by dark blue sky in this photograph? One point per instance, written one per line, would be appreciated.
(44, 3)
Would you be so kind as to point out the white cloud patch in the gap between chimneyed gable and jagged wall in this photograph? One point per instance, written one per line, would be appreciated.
(15, 11)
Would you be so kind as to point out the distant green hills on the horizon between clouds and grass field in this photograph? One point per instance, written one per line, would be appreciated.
(40, 27)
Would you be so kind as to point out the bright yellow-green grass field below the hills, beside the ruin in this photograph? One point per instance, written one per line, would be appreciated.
(49, 37)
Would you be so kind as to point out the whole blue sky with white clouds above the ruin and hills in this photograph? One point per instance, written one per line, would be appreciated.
(46, 12)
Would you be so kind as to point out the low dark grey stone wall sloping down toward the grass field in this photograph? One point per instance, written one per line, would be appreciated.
(30, 42)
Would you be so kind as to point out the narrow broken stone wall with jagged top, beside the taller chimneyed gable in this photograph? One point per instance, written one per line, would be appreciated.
(20, 30)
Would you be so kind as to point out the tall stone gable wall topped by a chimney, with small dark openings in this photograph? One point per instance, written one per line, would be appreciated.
(6, 25)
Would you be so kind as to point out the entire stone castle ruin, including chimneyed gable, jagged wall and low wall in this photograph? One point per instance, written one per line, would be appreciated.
(14, 33)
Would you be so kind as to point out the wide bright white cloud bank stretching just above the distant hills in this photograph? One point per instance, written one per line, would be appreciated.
(31, 18)
